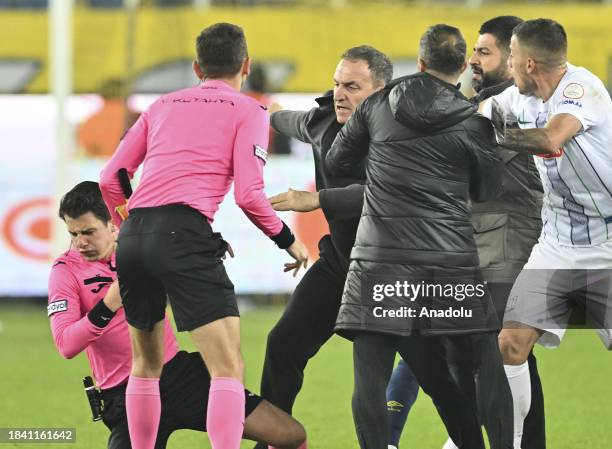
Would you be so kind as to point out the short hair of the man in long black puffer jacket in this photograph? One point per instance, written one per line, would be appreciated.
(443, 49)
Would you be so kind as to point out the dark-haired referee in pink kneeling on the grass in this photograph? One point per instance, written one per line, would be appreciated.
(86, 314)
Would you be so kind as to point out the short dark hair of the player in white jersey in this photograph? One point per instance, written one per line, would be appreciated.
(545, 36)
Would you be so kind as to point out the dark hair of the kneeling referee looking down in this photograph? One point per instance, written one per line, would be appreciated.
(82, 198)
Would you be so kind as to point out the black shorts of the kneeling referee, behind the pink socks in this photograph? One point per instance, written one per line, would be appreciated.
(183, 386)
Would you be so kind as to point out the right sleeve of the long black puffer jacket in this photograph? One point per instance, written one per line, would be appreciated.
(487, 167)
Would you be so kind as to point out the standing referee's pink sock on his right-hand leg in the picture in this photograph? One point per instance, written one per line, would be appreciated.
(225, 416)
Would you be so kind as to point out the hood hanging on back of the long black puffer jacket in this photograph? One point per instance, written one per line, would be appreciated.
(425, 103)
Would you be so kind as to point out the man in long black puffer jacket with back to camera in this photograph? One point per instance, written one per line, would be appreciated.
(428, 152)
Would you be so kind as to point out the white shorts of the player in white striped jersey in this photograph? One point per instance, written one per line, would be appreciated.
(561, 287)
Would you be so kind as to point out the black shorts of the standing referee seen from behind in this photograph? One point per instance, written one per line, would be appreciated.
(171, 250)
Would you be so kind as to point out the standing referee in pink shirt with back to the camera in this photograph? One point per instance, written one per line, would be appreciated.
(192, 143)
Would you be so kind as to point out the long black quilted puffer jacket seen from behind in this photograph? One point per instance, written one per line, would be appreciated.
(427, 152)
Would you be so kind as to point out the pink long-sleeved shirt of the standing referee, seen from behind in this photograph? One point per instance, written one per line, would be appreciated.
(193, 143)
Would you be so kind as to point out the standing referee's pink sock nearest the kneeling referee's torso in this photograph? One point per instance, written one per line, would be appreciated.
(143, 407)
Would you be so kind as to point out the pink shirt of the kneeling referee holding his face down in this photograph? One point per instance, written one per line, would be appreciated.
(75, 287)
